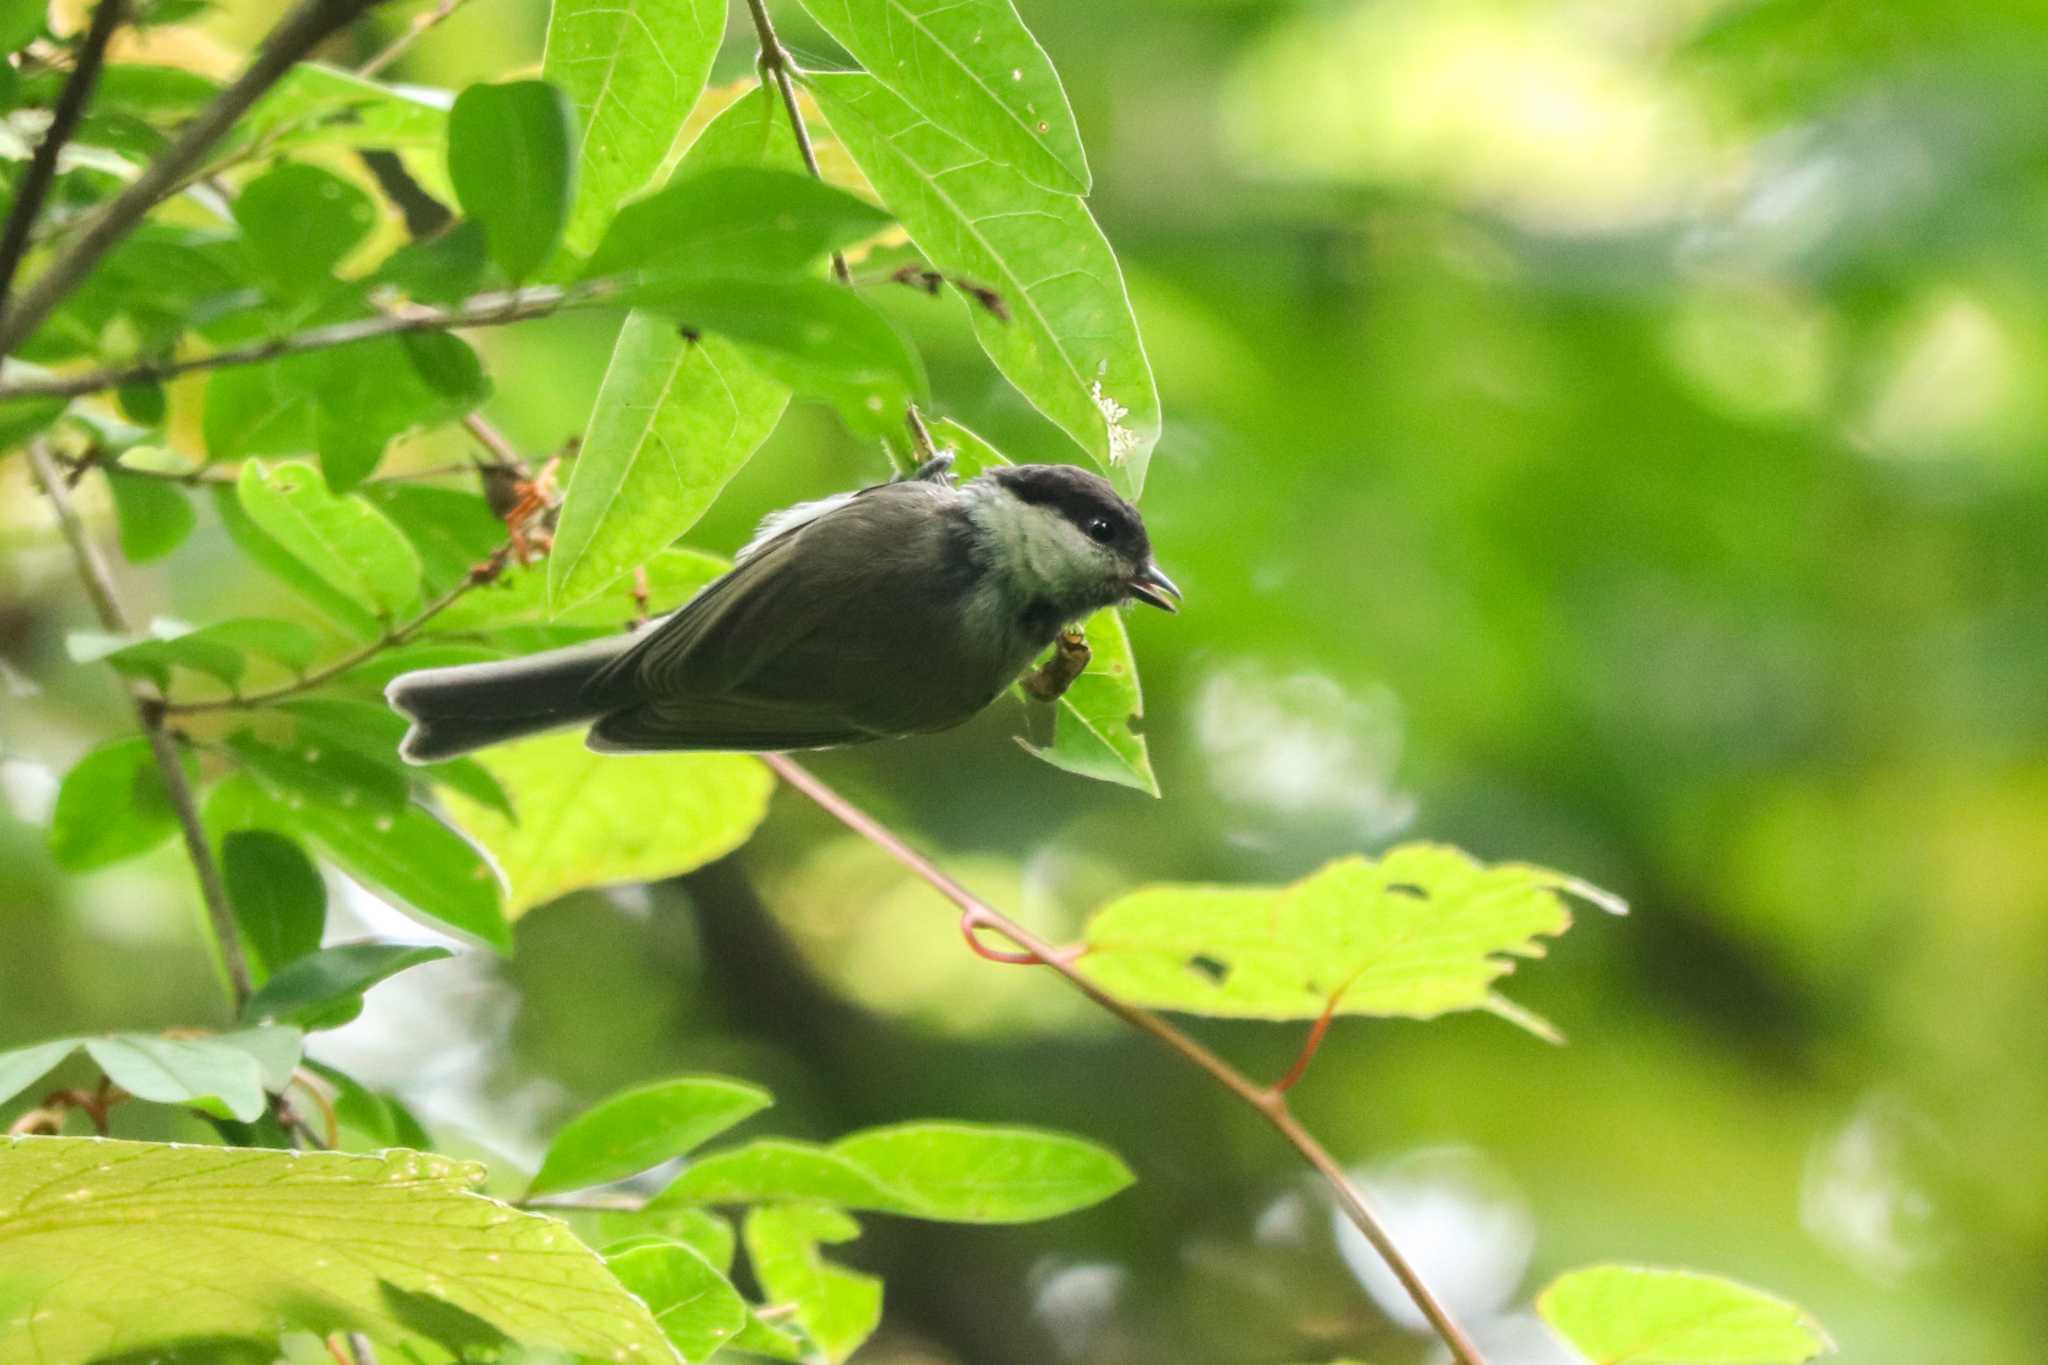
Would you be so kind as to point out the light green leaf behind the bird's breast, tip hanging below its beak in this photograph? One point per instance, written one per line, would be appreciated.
(1095, 721)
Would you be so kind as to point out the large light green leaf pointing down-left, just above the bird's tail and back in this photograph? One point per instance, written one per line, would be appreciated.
(673, 425)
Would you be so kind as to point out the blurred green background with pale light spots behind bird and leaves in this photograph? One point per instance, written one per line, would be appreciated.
(1601, 433)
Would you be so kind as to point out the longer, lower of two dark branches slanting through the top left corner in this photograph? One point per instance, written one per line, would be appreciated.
(294, 38)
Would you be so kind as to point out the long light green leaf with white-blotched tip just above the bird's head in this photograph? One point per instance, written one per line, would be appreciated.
(1072, 345)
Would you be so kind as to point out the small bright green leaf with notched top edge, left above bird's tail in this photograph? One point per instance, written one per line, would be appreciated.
(343, 541)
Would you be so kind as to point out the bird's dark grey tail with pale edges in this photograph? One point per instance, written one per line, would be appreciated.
(476, 705)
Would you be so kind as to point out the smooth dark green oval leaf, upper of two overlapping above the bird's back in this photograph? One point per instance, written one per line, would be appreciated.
(734, 220)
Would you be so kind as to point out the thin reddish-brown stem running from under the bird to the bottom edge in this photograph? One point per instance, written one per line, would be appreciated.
(1271, 1102)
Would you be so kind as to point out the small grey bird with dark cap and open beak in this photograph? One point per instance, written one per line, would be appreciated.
(896, 611)
